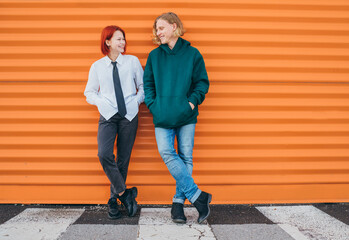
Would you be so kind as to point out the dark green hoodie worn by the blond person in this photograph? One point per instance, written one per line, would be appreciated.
(172, 79)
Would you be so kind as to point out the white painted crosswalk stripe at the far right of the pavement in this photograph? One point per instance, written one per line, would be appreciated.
(310, 221)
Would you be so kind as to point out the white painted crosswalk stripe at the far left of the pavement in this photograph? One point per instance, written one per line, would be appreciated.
(39, 223)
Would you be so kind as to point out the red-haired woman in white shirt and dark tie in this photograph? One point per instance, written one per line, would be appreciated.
(115, 86)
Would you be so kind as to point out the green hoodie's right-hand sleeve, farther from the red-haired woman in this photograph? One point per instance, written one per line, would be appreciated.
(200, 83)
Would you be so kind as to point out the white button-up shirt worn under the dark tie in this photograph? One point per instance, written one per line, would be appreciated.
(100, 91)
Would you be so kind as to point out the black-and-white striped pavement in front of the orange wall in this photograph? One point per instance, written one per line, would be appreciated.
(226, 222)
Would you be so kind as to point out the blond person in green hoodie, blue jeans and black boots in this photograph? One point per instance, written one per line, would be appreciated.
(175, 83)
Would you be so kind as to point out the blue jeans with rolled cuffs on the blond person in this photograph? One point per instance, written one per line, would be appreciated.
(180, 165)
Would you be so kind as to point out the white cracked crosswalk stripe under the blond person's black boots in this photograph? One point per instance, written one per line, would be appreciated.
(156, 223)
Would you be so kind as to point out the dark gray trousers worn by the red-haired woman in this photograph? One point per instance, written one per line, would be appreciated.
(116, 169)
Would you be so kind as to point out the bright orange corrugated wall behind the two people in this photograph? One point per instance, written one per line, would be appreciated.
(274, 127)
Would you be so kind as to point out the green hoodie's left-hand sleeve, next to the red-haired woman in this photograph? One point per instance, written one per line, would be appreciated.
(149, 84)
